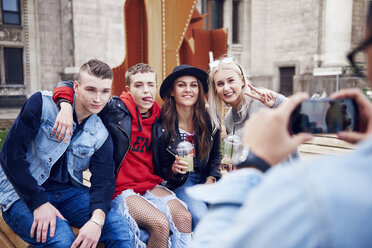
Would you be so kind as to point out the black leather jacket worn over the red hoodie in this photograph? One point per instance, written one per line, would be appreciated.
(118, 121)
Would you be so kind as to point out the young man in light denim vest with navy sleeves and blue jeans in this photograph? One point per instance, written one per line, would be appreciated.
(41, 179)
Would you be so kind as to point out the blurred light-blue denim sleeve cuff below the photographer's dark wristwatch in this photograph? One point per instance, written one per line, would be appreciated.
(225, 198)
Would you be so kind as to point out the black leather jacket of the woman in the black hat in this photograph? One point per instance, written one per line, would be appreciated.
(166, 152)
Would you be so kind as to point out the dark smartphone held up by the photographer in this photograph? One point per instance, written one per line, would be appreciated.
(324, 116)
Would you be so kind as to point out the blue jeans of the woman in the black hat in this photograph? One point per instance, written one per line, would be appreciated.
(197, 208)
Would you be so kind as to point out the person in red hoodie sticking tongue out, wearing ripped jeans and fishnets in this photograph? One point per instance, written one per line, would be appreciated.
(138, 194)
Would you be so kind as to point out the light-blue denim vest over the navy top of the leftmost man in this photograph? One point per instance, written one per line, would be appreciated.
(45, 150)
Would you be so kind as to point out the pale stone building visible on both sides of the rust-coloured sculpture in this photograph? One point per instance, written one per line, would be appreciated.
(284, 45)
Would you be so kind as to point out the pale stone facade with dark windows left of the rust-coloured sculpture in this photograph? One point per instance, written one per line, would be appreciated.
(44, 41)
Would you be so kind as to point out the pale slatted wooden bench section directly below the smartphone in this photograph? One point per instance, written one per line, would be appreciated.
(324, 144)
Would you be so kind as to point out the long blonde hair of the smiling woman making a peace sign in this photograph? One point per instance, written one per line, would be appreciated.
(215, 102)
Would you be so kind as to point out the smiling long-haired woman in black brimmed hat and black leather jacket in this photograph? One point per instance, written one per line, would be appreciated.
(184, 118)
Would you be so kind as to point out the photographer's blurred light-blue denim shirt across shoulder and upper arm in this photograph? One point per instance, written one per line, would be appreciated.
(324, 202)
